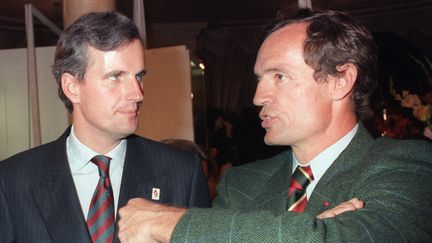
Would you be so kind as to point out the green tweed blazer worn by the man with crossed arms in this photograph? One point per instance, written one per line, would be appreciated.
(392, 177)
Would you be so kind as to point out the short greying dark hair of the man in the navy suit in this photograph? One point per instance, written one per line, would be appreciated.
(104, 31)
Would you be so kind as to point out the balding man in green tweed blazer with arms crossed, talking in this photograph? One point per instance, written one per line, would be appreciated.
(315, 75)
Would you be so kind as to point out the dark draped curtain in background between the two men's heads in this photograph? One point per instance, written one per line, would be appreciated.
(229, 56)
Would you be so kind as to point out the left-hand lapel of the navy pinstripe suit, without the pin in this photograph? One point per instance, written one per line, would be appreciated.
(56, 198)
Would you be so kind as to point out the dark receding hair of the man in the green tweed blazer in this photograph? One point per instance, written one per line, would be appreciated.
(334, 38)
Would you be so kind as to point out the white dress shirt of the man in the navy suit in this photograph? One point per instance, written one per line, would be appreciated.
(86, 174)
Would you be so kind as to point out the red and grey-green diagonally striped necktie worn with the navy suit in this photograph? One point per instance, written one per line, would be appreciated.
(100, 218)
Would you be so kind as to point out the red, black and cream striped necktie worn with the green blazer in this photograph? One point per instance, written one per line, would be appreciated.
(297, 190)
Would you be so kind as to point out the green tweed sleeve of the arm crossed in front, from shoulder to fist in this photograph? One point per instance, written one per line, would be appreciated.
(398, 208)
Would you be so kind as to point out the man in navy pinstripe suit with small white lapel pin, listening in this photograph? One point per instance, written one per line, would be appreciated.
(47, 194)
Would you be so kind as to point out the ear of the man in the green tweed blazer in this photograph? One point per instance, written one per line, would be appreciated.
(345, 81)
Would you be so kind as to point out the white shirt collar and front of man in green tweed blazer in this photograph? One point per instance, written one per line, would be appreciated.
(323, 160)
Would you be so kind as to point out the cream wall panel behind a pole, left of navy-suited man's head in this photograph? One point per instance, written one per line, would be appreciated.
(14, 106)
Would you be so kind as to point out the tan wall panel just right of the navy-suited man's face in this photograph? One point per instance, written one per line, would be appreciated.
(166, 111)
